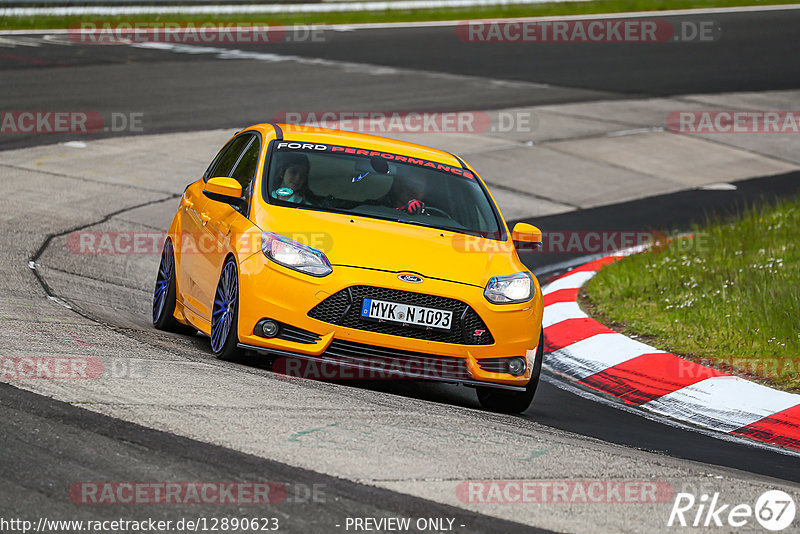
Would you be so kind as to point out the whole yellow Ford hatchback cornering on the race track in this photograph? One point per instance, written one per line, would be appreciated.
(358, 251)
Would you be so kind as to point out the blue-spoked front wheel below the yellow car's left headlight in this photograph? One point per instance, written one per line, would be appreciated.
(225, 314)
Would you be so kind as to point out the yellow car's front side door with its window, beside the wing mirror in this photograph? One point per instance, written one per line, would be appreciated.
(200, 267)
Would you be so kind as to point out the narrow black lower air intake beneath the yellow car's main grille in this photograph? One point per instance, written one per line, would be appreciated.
(403, 362)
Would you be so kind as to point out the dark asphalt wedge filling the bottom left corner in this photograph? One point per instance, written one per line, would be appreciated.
(37, 429)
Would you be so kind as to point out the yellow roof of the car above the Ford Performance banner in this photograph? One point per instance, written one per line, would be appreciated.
(314, 134)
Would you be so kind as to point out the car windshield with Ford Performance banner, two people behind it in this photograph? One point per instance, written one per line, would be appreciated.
(379, 185)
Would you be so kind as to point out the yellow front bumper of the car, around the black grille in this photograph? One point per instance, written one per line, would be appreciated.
(268, 290)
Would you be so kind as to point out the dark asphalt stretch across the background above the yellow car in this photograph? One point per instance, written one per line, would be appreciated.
(756, 51)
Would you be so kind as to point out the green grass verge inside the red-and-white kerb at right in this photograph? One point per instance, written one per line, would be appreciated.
(728, 297)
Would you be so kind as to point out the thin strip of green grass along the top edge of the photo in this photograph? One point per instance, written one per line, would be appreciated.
(509, 11)
